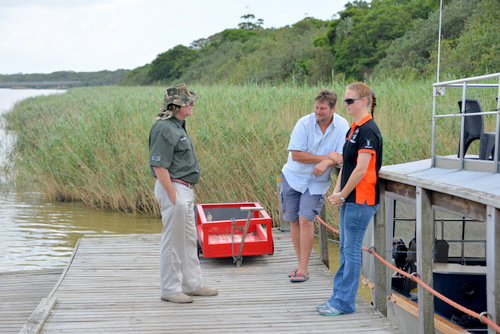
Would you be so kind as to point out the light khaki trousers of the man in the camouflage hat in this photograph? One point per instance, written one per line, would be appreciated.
(179, 264)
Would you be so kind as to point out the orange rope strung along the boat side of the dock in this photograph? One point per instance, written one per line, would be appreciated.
(483, 317)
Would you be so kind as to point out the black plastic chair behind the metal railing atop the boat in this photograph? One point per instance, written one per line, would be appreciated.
(474, 129)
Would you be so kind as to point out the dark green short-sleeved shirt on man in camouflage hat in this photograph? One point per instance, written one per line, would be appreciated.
(170, 147)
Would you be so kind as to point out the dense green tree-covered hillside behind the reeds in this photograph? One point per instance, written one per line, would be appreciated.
(378, 38)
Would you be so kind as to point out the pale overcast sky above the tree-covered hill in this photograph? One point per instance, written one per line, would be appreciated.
(44, 36)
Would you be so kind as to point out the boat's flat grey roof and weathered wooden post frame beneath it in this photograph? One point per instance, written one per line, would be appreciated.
(473, 193)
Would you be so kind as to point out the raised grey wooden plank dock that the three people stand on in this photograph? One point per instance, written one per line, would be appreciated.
(111, 285)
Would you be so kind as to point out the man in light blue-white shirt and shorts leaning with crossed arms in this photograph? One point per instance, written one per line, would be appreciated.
(315, 147)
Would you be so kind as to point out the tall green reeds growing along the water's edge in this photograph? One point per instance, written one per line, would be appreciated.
(91, 144)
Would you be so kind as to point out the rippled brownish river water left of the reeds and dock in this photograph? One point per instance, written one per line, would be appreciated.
(38, 234)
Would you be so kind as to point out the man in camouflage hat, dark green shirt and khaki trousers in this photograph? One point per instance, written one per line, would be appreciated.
(174, 163)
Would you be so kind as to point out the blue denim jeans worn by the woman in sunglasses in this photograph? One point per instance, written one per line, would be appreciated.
(354, 219)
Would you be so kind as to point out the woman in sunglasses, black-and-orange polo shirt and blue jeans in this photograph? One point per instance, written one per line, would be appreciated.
(357, 195)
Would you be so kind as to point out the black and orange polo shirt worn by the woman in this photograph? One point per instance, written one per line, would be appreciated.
(363, 137)
